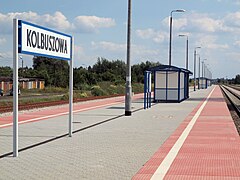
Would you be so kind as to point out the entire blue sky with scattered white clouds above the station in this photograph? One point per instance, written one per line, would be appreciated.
(99, 28)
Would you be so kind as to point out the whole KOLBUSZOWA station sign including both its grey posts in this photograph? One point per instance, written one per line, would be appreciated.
(35, 40)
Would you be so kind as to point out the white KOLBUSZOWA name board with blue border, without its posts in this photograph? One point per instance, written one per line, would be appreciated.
(41, 41)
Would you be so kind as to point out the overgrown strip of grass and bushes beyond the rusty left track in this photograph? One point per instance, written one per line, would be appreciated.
(50, 94)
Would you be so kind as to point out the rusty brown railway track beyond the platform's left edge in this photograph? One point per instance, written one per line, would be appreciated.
(4, 109)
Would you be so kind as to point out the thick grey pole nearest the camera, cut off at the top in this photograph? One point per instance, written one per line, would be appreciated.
(128, 94)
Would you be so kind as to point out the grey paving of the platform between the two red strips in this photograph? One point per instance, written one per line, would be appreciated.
(115, 149)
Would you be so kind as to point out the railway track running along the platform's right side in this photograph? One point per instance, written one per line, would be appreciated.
(233, 95)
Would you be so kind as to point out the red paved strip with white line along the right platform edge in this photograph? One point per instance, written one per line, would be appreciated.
(210, 149)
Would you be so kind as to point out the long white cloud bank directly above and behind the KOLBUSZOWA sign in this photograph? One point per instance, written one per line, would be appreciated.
(57, 21)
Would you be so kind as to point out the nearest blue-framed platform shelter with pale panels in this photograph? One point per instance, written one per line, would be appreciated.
(171, 84)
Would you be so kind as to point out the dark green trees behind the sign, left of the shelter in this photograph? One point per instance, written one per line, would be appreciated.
(56, 72)
